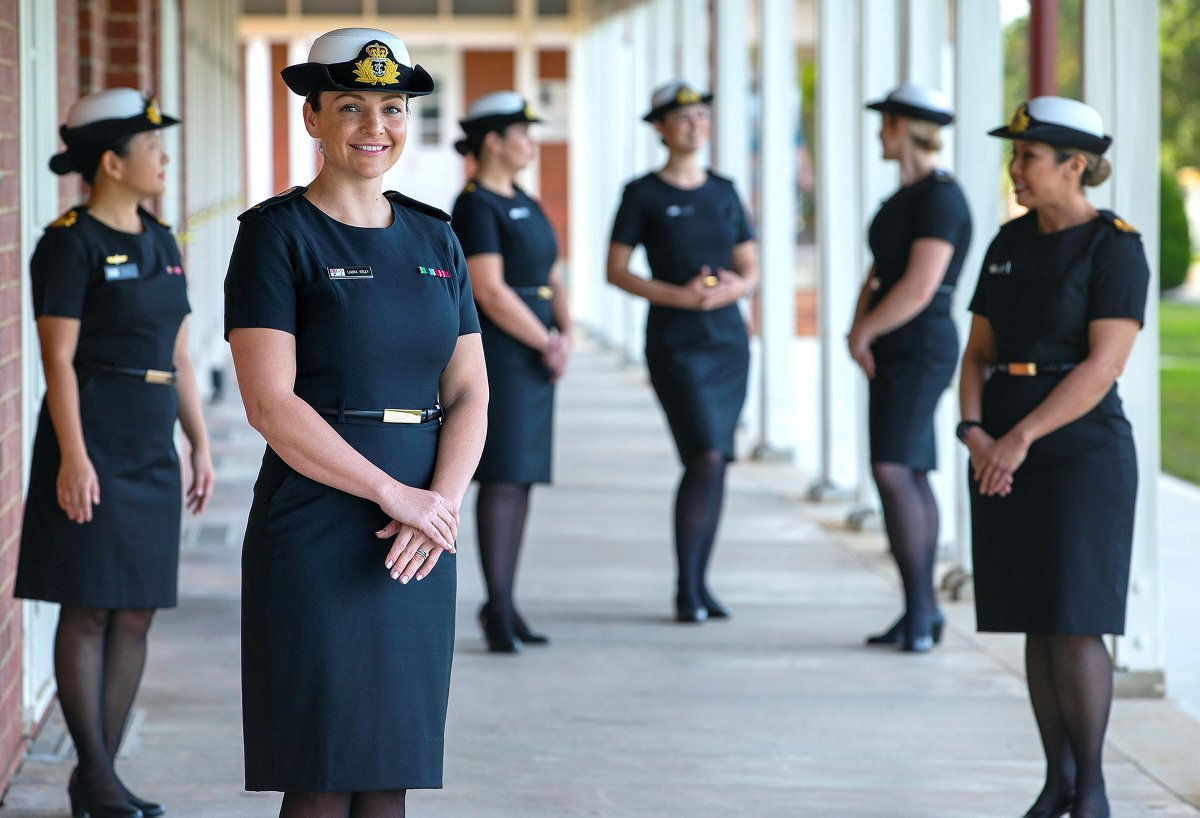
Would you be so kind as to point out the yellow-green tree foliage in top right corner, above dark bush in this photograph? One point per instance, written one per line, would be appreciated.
(1180, 47)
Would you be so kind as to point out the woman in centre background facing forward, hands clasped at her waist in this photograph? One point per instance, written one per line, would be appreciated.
(703, 260)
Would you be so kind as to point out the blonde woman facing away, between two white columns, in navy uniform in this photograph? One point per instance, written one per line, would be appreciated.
(907, 344)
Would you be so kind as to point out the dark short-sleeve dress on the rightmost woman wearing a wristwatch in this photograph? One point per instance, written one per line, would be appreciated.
(1054, 556)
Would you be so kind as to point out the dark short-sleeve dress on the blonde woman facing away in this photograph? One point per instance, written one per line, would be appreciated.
(916, 362)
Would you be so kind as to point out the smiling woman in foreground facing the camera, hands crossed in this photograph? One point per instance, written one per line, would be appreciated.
(355, 335)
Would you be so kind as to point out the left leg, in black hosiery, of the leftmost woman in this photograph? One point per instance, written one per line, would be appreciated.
(80, 671)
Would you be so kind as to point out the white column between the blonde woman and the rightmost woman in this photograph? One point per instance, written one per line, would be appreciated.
(979, 107)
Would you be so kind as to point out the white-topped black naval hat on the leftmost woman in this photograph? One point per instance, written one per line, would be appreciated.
(95, 123)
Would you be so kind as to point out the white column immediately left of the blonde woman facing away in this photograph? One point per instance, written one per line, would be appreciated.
(839, 240)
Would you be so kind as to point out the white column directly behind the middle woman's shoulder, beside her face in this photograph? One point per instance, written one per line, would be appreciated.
(731, 67)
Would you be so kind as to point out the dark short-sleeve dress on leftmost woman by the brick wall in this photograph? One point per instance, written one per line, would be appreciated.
(130, 296)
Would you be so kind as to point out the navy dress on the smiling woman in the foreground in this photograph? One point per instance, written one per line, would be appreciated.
(345, 671)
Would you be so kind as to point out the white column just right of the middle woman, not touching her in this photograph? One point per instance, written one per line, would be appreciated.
(777, 220)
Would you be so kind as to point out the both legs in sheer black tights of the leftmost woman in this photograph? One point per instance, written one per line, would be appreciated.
(99, 658)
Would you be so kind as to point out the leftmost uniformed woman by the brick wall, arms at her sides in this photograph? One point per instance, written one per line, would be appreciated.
(101, 527)
